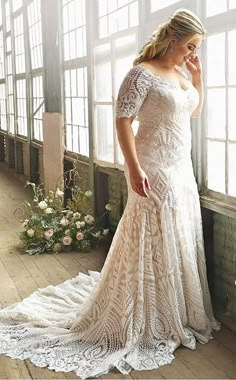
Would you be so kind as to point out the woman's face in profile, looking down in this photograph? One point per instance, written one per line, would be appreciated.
(184, 49)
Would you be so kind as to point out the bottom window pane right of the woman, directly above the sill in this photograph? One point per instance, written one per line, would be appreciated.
(216, 166)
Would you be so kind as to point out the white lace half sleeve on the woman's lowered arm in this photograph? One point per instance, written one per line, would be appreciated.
(132, 92)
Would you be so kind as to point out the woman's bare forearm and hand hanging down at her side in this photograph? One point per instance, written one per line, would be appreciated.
(138, 178)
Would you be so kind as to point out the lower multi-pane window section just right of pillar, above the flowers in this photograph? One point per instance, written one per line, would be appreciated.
(76, 111)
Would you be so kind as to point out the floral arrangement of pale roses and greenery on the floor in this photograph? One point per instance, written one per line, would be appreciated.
(51, 227)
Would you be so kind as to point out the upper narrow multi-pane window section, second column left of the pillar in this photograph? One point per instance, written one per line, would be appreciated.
(19, 44)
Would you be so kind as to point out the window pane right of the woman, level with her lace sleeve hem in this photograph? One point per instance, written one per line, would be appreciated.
(216, 113)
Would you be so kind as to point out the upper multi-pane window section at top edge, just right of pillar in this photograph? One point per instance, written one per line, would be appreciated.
(74, 26)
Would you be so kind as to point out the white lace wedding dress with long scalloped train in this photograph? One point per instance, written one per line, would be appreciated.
(152, 293)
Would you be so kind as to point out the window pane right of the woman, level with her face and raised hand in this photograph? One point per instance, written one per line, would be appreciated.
(216, 61)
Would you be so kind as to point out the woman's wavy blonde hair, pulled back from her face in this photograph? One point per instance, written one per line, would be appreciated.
(181, 25)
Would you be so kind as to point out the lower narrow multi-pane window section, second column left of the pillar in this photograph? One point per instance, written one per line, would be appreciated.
(21, 107)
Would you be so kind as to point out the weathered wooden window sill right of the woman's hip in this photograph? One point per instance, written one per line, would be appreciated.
(221, 206)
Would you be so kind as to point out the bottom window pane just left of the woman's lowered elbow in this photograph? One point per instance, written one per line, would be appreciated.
(104, 133)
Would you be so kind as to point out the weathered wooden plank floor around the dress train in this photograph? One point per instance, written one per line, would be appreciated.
(21, 274)
